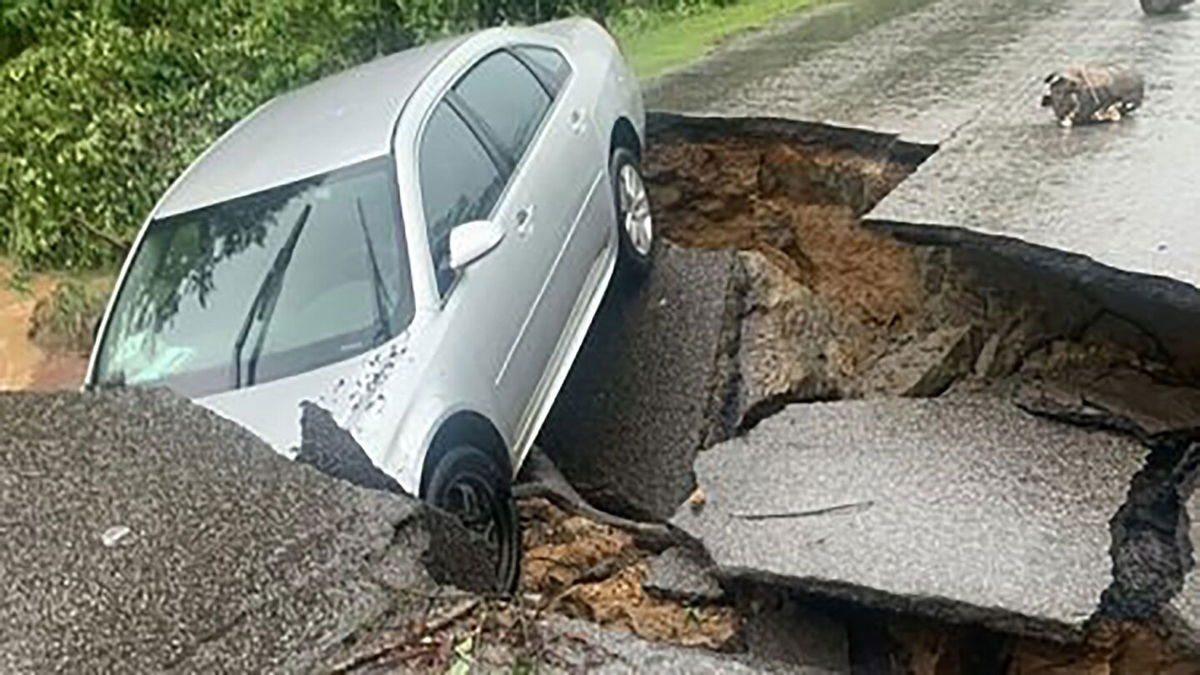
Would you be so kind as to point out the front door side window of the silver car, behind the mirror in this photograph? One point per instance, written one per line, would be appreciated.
(460, 183)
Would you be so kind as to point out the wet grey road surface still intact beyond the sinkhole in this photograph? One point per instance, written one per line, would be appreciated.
(968, 76)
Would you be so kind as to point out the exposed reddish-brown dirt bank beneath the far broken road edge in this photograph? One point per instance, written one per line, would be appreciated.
(832, 309)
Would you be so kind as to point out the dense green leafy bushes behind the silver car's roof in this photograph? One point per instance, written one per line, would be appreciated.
(104, 103)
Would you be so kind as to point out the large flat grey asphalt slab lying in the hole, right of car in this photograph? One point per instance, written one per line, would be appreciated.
(961, 509)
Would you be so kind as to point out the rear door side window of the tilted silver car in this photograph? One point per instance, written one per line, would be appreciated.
(508, 99)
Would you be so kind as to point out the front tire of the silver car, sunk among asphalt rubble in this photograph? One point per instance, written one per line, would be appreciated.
(469, 474)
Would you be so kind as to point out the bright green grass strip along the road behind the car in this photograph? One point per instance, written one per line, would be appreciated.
(658, 43)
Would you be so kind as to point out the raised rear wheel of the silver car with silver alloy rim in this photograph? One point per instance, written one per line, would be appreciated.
(635, 223)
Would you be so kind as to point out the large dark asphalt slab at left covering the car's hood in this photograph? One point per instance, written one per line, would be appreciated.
(142, 533)
